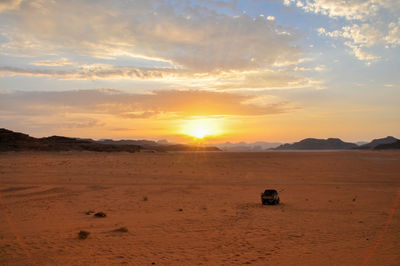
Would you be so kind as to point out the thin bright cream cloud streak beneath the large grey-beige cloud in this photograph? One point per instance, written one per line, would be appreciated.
(282, 77)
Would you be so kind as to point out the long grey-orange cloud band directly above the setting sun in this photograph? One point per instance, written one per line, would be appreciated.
(103, 113)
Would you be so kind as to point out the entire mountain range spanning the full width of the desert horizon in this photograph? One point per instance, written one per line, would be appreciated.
(14, 141)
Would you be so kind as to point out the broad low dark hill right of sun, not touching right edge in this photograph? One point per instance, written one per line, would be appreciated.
(318, 144)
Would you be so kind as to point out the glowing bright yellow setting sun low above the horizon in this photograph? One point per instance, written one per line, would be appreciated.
(201, 128)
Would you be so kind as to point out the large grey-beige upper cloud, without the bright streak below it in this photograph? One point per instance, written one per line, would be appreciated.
(194, 38)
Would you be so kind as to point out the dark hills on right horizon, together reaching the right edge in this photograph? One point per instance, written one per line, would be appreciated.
(338, 144)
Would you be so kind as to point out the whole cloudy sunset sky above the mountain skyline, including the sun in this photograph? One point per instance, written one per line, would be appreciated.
(201, 71)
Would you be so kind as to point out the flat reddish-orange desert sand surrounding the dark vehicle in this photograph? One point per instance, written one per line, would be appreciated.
(338, 208)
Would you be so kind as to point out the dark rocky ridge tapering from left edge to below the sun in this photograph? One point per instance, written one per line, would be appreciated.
(15, 141)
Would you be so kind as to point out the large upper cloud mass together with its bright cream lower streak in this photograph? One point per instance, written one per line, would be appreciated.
(199, 47)
